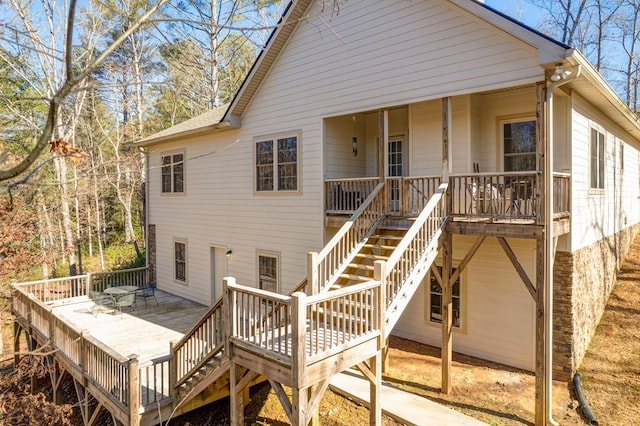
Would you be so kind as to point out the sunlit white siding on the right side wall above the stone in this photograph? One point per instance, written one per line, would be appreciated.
(599, 214)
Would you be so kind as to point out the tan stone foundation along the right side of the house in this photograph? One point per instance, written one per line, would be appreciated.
(583, 281)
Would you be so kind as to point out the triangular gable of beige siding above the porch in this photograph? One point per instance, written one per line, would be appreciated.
(402, 52)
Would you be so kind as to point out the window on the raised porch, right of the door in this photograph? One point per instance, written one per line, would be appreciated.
(519, 138)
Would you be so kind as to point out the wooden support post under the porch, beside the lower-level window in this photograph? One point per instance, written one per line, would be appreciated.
(447, 314)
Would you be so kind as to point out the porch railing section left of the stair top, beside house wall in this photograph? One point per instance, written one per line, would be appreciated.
(344, 196)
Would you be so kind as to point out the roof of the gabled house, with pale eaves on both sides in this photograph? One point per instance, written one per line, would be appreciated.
(550, 52)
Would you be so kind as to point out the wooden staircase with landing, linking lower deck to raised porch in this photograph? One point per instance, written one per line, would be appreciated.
(368, 272)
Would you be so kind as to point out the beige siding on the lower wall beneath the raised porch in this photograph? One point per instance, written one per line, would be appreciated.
(498, 319)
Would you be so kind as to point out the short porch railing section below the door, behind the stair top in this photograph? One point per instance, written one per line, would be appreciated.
(407, 195)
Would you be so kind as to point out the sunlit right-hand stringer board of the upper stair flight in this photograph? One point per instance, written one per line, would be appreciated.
(412, 283)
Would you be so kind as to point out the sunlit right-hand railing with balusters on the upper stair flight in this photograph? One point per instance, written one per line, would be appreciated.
(418, 247)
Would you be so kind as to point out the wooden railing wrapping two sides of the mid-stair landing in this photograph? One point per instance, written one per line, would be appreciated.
(302, 328)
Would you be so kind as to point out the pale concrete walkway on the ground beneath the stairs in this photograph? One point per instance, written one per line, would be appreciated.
(402, 406)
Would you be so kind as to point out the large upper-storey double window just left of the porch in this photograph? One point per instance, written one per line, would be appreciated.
(277, 164)
